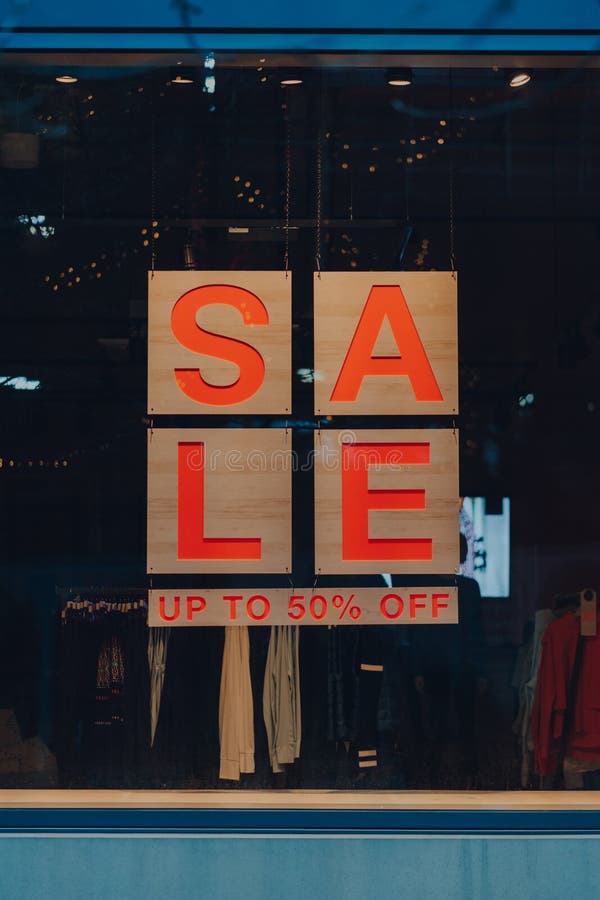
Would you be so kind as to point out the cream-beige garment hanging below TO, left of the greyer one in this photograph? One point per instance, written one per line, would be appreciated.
(236, 712)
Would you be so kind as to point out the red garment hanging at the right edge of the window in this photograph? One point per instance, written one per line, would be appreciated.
(558, 656)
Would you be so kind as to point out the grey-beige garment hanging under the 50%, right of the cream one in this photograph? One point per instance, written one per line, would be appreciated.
(281, 696)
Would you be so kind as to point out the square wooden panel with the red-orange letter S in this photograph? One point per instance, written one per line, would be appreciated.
(219, 343)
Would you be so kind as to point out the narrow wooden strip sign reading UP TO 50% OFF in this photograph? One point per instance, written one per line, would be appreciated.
(304, 606)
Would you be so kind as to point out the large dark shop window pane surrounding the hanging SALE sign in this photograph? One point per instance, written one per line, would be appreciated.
(126, 170)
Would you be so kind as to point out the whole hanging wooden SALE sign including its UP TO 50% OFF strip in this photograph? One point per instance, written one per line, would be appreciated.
(220, 499)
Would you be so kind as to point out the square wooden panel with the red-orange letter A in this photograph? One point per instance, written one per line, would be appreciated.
(386, 343)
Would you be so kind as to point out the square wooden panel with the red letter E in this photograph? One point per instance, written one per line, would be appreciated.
(386, 501)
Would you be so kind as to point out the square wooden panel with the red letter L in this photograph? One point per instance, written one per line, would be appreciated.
(219, 500)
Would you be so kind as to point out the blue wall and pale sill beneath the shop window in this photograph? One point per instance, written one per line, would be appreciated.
(546, 850)
